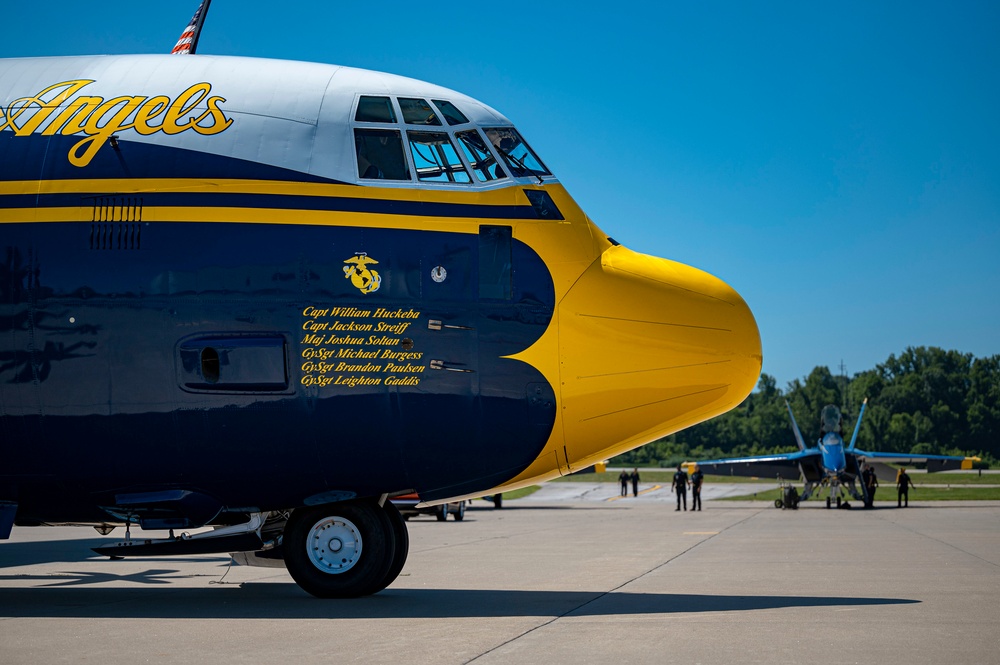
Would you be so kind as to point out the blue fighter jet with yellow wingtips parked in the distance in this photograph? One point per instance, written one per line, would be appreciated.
(828, 464)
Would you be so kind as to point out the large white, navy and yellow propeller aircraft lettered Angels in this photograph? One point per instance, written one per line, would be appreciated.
(267, 296)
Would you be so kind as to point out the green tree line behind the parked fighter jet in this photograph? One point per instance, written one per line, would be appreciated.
(925, 400)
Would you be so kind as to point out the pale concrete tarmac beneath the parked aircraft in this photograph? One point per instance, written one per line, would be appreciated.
(545, 580)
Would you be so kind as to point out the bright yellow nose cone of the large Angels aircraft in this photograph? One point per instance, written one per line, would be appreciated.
(647, 347)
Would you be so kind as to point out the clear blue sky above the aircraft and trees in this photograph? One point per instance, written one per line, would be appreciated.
(839, 165)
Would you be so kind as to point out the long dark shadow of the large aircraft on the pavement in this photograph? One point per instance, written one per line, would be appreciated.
(286, 601)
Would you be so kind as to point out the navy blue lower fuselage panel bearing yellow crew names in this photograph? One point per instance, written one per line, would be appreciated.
(241, 362)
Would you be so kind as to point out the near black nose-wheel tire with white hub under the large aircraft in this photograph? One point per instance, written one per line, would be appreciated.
(340, 550)
